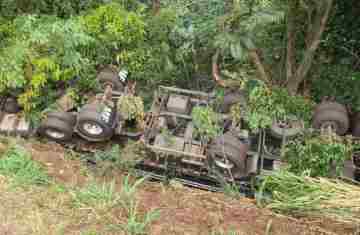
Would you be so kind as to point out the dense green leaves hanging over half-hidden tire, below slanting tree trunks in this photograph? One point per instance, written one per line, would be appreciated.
(268, 105)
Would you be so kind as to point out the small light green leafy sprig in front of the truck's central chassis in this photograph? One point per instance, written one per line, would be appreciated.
(206, 122)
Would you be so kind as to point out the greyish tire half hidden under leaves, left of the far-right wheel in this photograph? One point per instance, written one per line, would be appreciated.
(277, 131)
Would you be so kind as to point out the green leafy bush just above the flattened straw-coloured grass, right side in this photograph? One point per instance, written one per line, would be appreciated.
(319, 154)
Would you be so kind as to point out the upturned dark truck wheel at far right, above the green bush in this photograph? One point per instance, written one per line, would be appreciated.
(332, 115)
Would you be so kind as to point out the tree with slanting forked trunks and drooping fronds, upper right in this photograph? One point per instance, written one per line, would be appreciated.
(305, 20)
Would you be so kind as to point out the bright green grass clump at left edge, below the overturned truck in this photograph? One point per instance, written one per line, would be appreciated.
(17, 164)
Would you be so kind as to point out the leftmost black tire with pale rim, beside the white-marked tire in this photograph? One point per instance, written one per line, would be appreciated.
(57, 130)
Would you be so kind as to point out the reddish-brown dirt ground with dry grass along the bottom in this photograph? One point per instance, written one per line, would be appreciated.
(48, 209)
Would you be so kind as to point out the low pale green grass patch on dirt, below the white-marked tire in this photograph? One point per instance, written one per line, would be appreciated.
(103, 196)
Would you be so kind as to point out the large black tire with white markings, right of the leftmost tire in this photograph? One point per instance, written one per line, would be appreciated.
(92, 117)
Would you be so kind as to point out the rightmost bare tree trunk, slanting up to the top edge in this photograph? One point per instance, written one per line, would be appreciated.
(309, 54)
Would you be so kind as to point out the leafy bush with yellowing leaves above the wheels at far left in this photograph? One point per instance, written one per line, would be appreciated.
(43, 51)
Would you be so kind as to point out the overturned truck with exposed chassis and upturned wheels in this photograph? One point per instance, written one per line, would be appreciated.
(174, 148)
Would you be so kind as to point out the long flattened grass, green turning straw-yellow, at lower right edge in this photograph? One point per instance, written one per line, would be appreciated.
(304, 195)
